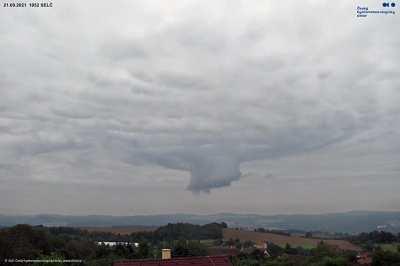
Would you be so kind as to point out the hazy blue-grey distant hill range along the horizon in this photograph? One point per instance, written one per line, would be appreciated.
(348, 222)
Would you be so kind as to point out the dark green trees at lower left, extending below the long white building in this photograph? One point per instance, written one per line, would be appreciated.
(51, 244)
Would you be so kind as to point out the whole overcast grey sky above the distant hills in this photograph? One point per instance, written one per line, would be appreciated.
(147, 107)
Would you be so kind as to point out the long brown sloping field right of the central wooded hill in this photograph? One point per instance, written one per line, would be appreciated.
(282, 240)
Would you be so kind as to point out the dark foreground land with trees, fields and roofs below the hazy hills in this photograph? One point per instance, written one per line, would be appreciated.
(141, 245)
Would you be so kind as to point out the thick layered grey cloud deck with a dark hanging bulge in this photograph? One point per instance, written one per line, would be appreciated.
(193, 90)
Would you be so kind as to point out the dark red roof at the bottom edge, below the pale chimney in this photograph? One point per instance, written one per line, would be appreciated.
(187, 261)
